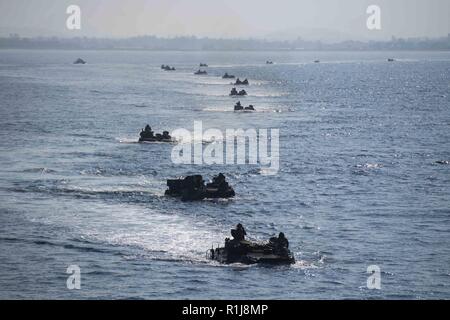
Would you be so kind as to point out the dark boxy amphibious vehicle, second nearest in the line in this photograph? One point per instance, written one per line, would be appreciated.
(193, 188)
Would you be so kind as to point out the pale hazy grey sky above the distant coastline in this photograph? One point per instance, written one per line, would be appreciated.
(309, 19)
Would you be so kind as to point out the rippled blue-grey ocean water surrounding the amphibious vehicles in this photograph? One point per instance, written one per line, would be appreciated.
(359, 182)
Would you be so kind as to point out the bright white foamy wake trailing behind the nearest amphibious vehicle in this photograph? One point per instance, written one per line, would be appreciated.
(157, 235)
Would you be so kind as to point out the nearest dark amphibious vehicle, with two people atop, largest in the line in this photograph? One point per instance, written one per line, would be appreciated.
(238, 250)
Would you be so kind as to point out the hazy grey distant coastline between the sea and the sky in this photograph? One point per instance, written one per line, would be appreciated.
(154, 43)
